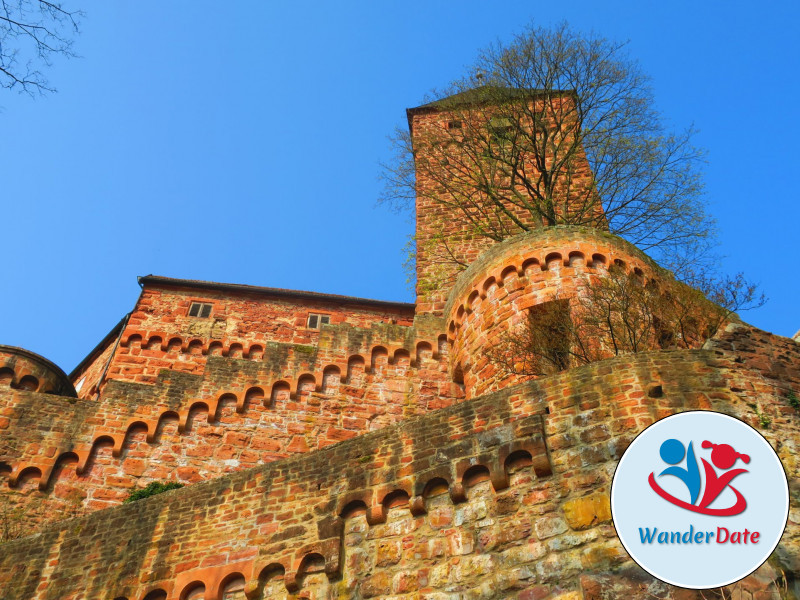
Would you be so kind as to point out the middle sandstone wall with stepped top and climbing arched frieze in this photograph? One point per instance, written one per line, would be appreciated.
(62, 456)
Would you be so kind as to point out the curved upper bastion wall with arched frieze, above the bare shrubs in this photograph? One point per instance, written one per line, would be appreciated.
(494, 294)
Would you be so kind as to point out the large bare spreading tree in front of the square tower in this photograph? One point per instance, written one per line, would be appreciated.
(555, 127)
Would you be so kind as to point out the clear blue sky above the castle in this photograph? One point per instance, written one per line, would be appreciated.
(240, 142)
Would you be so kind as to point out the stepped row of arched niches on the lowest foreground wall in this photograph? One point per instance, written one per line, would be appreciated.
(472, 480)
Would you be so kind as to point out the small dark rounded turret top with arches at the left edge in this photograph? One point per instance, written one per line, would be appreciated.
(24, 370)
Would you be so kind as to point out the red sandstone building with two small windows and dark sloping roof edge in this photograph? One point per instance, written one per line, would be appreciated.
(160, 333)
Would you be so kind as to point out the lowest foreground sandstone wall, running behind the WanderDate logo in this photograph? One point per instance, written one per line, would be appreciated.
(502, 496)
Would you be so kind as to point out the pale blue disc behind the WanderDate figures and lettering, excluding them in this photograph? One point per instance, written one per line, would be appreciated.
(635, 505)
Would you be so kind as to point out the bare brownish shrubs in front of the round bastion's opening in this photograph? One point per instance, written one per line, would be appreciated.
(619, 313)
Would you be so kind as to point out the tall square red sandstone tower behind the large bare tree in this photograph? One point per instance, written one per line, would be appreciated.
(485, 163)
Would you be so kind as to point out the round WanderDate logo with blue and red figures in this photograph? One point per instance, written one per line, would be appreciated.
(700, 499)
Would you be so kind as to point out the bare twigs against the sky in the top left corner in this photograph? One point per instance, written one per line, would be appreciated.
(32, 32)
